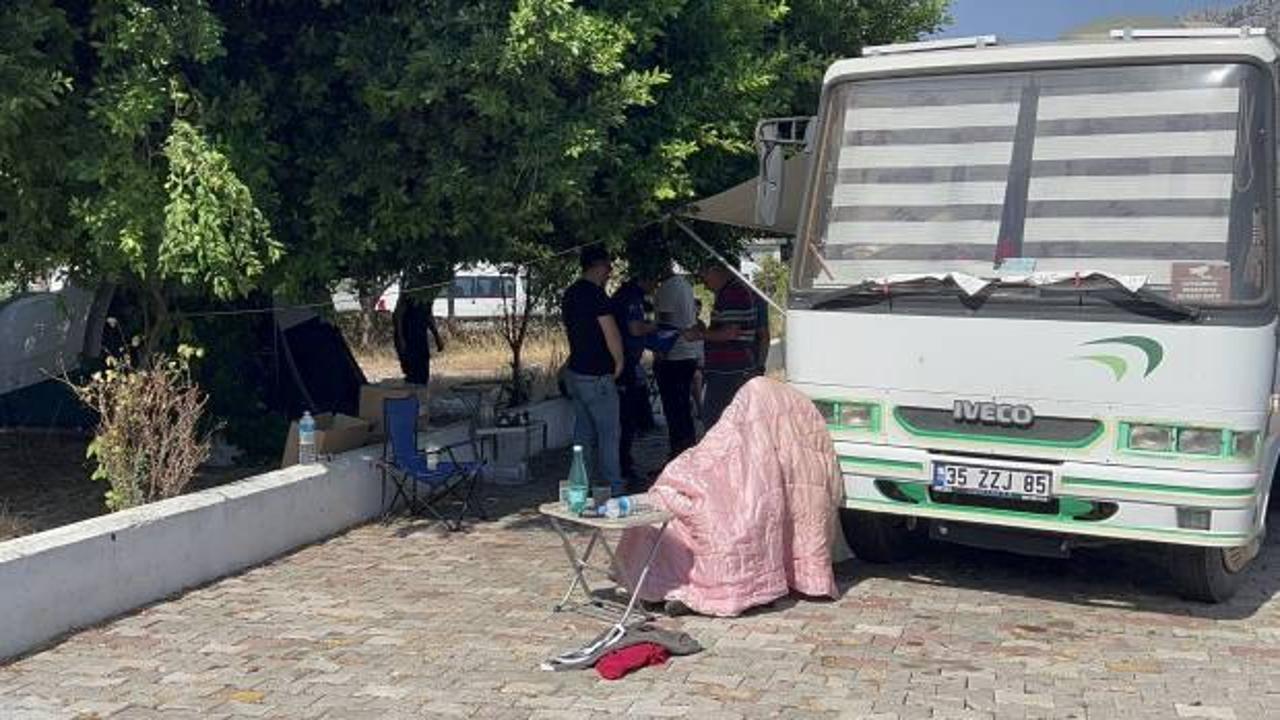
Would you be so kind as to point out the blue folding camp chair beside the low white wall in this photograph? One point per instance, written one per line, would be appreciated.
(420, 485)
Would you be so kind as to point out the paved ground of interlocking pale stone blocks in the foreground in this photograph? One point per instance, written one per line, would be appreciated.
(404, 621)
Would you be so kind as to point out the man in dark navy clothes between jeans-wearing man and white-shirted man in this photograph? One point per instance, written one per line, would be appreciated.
(633, 390)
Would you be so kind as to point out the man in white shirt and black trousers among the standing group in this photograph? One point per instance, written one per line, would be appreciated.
(675, 370)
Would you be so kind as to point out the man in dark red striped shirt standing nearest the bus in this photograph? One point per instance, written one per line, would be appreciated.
(732, 340)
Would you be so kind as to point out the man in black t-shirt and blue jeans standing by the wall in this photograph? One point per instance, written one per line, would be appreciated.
(595, 364)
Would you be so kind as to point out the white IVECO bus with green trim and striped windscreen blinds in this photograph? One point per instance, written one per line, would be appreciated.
(1035, 295)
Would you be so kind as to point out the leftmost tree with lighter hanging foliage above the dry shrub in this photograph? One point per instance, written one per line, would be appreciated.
(131, 184)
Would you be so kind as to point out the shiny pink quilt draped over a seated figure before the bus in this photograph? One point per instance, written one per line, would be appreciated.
(755, 509)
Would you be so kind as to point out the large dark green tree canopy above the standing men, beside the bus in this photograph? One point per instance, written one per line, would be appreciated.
(486, 129)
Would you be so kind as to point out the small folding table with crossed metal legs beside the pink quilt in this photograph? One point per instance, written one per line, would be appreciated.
(597, 607)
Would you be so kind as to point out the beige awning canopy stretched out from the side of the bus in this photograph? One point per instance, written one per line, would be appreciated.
(738, 206)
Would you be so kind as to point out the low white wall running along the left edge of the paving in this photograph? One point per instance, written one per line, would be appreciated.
(76, 576)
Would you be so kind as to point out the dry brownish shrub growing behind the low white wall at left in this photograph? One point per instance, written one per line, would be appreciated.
(149, 441)
